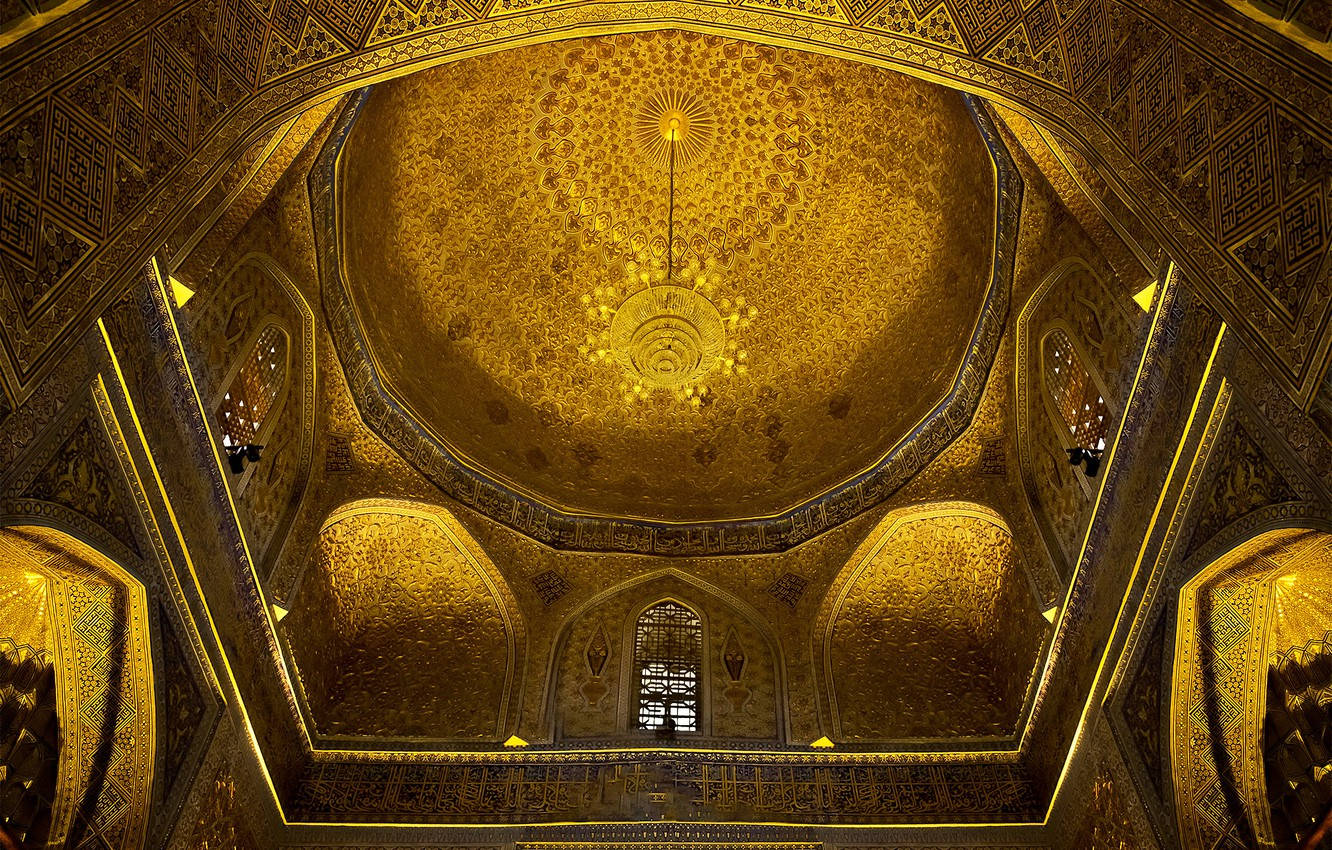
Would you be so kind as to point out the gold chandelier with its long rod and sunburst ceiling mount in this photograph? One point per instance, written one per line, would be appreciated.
(664, 328)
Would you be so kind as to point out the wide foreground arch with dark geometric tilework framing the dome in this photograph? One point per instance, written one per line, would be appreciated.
(102, 153)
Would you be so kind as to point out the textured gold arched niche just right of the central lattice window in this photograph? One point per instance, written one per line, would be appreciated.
(933, 630)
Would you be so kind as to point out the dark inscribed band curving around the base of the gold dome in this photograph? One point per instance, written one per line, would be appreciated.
(563, 530)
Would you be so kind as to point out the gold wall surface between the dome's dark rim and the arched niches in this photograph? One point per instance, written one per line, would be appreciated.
(982, 466)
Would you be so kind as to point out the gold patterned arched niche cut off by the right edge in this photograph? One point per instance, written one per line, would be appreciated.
(1243, 623)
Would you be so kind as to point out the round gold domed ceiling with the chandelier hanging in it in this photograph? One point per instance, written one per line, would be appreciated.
(504, 224)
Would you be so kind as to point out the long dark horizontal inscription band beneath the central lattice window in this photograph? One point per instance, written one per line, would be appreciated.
(679, 787)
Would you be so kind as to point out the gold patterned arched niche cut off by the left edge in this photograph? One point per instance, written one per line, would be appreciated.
(78, 684)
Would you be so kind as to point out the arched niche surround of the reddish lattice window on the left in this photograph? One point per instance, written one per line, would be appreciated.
(234, 315)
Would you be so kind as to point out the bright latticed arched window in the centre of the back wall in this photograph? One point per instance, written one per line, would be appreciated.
(668, 668)
